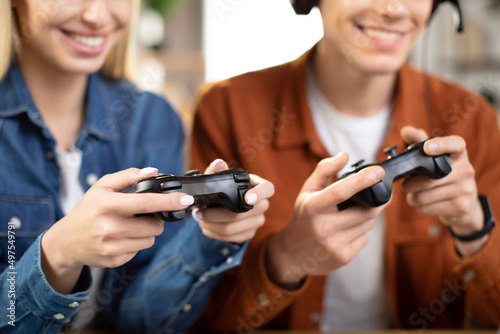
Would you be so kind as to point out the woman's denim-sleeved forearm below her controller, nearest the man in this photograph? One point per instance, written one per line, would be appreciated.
(171, 290)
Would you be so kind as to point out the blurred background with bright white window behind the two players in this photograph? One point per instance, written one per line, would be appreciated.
(184, 43)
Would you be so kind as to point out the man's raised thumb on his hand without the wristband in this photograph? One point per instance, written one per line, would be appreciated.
(324, 172)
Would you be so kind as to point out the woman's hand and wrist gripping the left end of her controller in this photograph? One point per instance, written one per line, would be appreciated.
(105, 229)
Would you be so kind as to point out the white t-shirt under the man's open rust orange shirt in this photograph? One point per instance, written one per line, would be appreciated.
(355, 295)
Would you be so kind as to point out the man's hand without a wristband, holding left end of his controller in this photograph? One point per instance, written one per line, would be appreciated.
(318, 231)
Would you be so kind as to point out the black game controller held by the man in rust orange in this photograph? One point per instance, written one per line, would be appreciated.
(413, 161)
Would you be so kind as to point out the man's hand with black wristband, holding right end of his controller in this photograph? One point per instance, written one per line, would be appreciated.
(454, 198)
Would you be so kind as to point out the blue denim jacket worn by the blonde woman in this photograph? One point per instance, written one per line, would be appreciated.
(164, 288)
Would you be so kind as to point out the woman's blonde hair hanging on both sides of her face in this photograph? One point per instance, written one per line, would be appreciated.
(118, 65)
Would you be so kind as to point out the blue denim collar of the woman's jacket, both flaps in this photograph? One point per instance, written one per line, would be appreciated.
(100, 122)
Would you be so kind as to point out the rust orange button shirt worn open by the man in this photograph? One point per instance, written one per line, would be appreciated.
(261, 122)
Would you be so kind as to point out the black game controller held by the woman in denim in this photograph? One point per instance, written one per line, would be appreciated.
(226, 188)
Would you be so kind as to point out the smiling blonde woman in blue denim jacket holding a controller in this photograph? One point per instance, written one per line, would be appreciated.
(71, 128)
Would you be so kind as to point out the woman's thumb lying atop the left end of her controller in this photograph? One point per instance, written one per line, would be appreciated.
(124, 179)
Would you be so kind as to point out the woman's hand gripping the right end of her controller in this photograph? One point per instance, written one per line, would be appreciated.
(222, 224)
